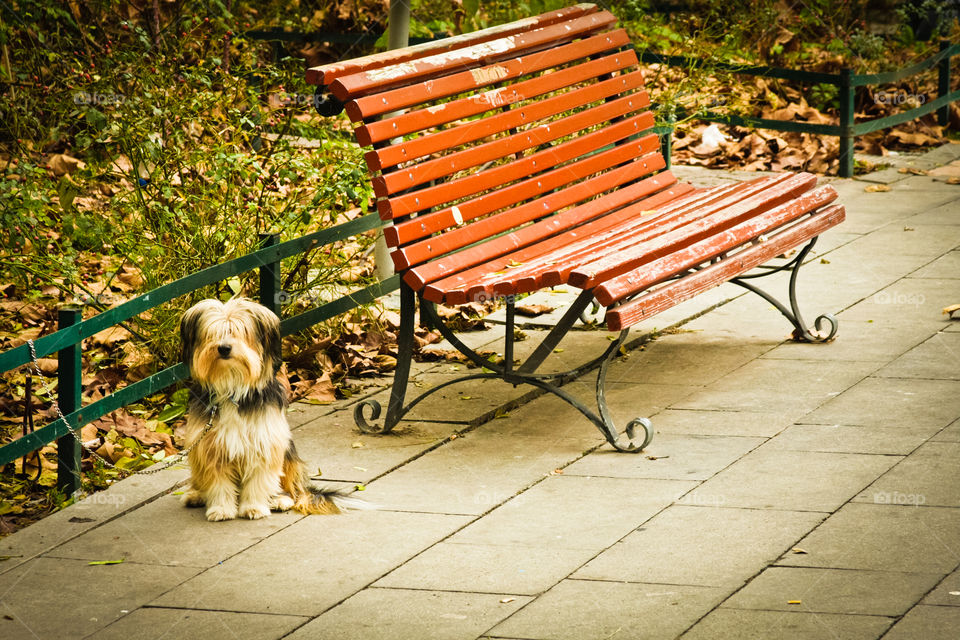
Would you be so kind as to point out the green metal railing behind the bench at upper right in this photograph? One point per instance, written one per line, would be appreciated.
(846, 82)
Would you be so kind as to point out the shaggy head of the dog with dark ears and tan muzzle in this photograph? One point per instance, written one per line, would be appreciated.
(231, 347)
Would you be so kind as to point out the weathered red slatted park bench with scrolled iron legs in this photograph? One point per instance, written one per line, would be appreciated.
(522, 157)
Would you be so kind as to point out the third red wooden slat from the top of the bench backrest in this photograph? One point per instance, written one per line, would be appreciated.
(363, 109)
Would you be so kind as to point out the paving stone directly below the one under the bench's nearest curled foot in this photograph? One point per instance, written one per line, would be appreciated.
(573, 511)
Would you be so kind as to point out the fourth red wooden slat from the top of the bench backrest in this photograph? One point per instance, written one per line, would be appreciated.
(445, 112)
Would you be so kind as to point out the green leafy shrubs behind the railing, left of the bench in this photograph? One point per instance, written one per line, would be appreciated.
(191, 145)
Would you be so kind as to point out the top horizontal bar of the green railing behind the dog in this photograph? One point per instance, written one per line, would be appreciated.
(53, 342)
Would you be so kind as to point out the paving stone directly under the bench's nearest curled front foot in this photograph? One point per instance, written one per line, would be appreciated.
(669, 456)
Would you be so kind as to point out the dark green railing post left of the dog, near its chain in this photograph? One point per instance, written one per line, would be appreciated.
(69, 375)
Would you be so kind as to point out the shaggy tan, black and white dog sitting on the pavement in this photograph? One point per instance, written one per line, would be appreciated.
(242, 459)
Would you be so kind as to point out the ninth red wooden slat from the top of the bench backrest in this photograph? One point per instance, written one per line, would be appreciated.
(453, 239)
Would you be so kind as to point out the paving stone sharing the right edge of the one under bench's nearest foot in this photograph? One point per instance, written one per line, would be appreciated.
(768, 478)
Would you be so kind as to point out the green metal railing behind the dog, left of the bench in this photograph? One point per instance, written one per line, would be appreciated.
(66, 341)
